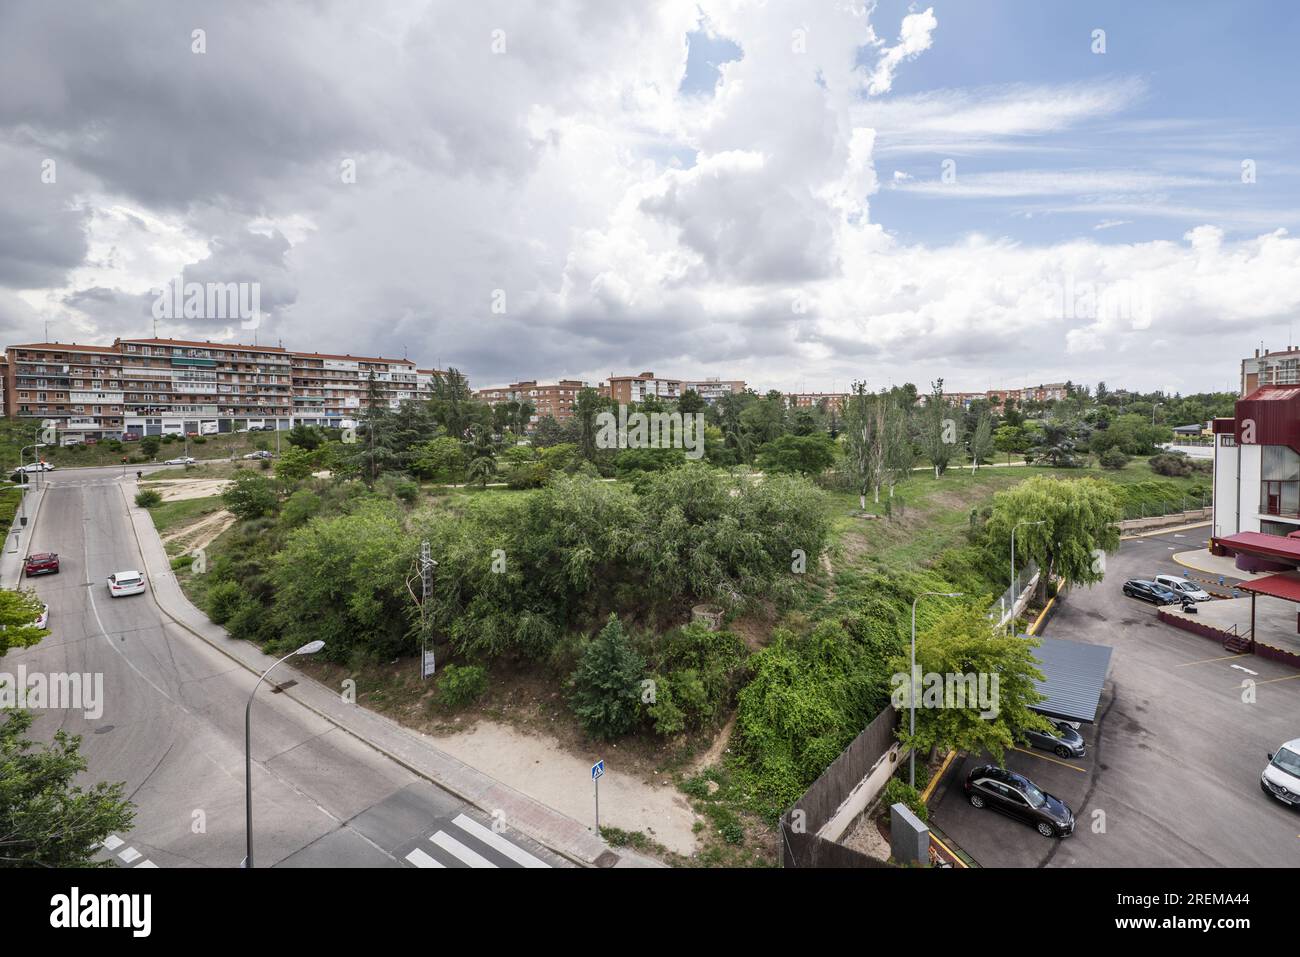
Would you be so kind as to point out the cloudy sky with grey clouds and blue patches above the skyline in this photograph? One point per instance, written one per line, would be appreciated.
(798, 194)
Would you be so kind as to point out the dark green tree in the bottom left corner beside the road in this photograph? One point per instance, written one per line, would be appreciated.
(47, 821)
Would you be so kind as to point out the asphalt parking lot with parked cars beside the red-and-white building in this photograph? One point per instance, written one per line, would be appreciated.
(1173, 770)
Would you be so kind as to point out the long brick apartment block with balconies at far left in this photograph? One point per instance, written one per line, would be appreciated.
(151, 387)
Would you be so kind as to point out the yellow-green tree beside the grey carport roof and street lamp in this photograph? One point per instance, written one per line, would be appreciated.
(964, 644)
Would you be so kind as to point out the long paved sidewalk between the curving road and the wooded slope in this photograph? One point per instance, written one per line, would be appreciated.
(544, 825)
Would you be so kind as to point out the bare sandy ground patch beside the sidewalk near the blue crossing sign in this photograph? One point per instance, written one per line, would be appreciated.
(536, 767)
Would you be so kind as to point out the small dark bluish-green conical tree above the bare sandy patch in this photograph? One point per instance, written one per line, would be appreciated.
(608, 683)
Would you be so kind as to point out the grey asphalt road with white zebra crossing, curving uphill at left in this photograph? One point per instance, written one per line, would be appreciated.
(174, 730)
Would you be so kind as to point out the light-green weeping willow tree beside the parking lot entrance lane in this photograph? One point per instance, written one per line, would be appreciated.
(1081, 525)
